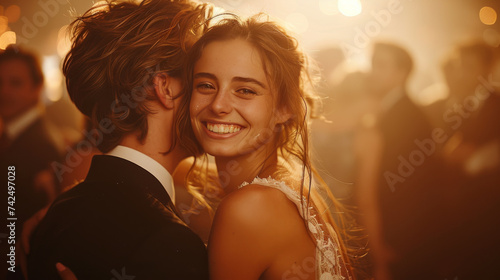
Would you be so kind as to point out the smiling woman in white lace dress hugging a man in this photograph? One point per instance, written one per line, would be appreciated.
(248, 107)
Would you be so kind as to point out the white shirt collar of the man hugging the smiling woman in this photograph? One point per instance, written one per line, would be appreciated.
(146, 162)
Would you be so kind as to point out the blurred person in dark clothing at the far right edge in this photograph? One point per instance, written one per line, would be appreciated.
(470, 115)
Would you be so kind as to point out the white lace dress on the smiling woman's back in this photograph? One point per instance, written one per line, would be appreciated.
(329, 261)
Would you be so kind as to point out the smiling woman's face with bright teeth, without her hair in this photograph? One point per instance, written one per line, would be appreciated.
(232, 104)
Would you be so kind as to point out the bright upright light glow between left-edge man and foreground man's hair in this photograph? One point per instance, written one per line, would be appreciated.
(53, 77)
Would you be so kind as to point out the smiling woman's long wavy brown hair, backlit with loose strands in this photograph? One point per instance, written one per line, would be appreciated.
(287, 71)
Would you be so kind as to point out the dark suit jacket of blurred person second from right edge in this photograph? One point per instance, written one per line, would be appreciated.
(410, 212)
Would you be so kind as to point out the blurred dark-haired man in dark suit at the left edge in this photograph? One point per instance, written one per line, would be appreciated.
(28, 140)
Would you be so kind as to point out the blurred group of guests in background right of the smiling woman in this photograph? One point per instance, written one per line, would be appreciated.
(423, 178)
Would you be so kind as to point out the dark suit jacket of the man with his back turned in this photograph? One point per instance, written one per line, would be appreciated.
(119, 221)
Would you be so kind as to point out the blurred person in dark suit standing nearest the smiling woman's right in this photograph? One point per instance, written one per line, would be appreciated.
(397, 176)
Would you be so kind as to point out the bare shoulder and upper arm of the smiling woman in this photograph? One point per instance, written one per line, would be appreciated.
(259, 226)
